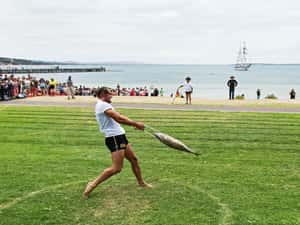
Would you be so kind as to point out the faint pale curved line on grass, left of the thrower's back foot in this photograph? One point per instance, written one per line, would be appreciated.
(31, 194)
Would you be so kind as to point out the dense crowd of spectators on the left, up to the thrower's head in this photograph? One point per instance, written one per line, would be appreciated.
(12, 87)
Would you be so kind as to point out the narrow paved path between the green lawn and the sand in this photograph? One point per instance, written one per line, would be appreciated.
(159, 106)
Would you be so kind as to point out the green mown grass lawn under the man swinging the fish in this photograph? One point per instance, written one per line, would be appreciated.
(248, 173)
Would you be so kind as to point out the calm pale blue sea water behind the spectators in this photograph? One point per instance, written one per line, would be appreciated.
(209, 81)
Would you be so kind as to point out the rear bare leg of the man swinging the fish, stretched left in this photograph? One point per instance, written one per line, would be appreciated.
(117, 164)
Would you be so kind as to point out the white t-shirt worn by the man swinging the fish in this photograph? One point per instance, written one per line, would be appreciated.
(107, 125)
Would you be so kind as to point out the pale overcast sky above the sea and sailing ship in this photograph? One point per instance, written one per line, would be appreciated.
(154, 31)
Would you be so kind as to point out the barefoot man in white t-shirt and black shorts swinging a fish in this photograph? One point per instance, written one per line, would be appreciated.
(115, 139)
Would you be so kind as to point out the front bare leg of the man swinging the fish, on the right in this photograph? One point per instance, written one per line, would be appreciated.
(131, 157)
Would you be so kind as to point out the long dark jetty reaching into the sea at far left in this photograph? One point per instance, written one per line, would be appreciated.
(51, 70)
